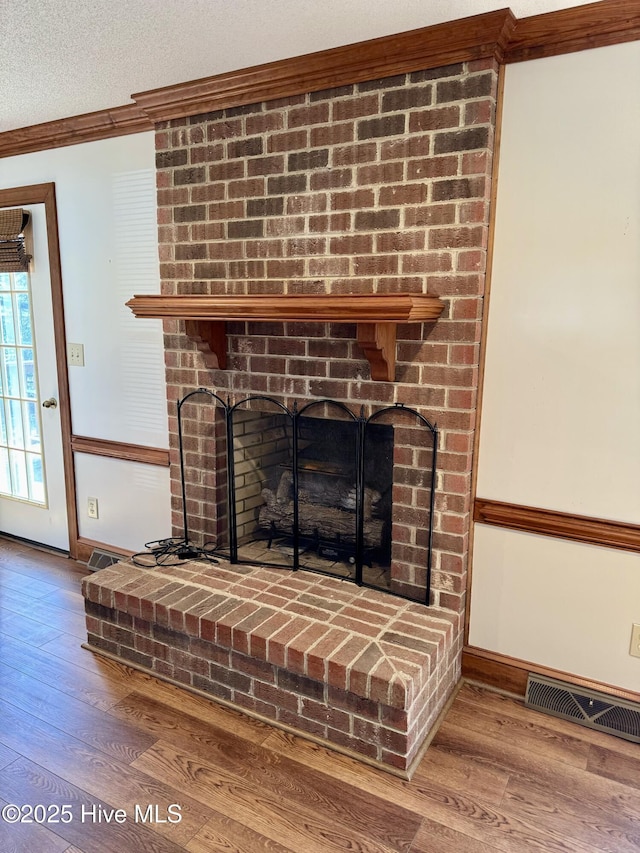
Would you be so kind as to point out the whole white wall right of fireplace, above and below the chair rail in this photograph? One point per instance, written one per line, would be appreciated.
(560, 422)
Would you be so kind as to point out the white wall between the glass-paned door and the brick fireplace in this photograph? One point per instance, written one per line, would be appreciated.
(105, 193)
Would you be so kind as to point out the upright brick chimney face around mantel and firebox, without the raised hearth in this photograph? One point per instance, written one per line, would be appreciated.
(376, 188)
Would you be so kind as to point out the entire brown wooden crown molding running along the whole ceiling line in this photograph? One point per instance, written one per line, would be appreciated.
(497, 35)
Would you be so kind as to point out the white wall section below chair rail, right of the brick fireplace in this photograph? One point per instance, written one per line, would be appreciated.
(561, 604)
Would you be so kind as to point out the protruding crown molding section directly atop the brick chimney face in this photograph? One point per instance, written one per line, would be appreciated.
(477, 37)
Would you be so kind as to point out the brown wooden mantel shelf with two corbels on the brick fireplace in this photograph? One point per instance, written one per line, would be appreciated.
(376, 317)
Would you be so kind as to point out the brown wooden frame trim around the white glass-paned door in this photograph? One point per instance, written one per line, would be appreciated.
(46, 194)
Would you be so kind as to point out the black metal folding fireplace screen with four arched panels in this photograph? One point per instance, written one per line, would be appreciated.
(320, 488)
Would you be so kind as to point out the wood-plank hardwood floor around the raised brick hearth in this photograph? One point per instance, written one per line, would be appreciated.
(82, 737)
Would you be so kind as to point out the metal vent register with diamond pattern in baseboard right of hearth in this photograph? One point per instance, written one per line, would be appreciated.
(592, 709)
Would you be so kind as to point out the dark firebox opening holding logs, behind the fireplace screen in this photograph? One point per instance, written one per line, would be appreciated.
(319, 497)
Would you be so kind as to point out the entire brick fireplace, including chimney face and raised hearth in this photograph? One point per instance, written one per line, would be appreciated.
(377, 188)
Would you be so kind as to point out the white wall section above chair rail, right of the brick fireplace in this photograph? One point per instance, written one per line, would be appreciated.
(561, 406)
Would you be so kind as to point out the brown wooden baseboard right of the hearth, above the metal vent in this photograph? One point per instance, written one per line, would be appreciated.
(510, 674)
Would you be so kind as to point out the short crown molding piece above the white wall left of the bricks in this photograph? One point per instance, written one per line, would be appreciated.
(103, 124)
